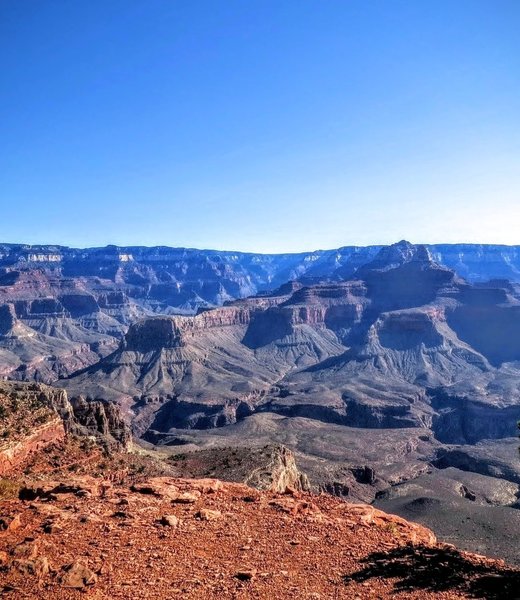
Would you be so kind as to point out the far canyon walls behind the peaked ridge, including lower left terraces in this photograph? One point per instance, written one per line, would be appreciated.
(81, 302)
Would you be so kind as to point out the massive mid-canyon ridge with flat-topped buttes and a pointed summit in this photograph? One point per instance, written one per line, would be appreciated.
(378, 351)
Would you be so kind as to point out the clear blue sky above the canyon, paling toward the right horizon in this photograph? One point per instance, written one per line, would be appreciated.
(262, 125)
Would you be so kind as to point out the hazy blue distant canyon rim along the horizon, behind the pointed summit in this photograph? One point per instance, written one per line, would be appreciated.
(235, 274)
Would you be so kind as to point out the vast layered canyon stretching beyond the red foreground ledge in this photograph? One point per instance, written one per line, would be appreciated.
(391, 373)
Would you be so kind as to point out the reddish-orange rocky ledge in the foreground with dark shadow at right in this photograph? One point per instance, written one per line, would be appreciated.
(228, 541)
